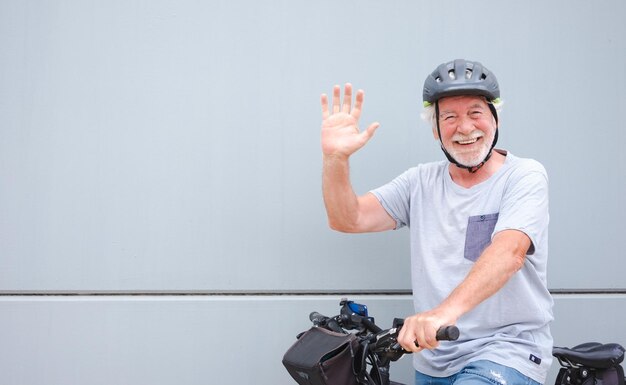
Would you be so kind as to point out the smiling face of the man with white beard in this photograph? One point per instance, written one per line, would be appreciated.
(467, 128)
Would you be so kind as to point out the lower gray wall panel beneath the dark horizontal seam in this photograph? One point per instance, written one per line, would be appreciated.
(226, 340)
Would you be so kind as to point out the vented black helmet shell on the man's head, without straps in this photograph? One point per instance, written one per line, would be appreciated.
(460, 77)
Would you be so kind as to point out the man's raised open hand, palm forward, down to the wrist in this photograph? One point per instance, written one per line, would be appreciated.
(341, 136)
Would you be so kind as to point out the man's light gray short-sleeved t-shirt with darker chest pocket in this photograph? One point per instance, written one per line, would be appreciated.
(450, 226)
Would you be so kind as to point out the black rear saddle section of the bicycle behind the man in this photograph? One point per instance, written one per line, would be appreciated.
(590, 364)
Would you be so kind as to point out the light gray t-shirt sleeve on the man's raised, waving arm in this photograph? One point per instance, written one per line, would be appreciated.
(395, 198)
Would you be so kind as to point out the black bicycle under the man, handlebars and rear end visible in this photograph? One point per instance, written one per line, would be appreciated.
(368, 352)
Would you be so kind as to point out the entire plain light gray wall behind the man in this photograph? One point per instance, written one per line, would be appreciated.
(160, 200)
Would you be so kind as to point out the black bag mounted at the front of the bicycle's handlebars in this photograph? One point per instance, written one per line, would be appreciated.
(322, 357)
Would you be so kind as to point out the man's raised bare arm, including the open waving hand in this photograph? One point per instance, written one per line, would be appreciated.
(341, 138)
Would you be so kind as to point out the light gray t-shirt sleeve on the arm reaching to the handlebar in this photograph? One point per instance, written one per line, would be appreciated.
(524, 205)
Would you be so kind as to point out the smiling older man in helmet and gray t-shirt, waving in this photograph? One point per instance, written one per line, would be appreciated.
(478, 224)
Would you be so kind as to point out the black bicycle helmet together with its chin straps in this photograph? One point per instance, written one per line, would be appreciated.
(462, 77)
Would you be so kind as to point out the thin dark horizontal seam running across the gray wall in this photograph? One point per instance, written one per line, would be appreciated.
(96, 293)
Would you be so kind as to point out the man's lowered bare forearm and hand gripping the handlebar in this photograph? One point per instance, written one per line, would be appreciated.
(496, 265)
